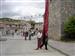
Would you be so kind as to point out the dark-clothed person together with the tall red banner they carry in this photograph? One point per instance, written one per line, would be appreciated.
(45, 28)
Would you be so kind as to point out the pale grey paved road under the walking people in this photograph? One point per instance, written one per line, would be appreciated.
(17, 46)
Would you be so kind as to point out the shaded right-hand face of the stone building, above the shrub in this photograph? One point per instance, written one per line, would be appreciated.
(67, 9)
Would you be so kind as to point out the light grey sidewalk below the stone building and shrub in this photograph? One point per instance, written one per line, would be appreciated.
(63, 47)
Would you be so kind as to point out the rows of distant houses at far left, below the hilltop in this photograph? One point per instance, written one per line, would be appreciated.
(15, 25)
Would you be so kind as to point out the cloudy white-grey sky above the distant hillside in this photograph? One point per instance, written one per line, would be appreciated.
(22, 9)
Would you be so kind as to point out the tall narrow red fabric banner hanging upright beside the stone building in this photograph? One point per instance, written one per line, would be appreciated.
(45, 28)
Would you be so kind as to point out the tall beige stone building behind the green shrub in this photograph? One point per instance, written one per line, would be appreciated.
(59, 11)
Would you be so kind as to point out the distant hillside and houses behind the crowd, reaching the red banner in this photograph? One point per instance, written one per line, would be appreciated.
(8, 25)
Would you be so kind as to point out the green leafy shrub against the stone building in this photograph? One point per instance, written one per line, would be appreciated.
(69, 27)
